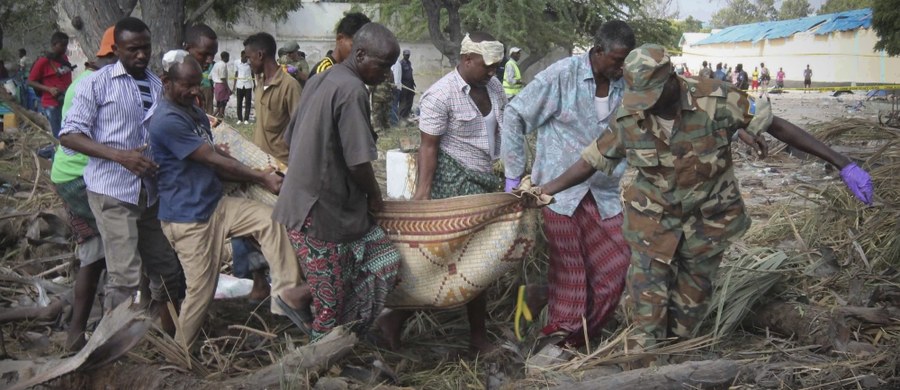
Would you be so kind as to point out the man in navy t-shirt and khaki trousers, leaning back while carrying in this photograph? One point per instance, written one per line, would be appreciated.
(196, 218)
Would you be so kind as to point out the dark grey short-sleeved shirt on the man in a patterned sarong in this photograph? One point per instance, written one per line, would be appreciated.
(330, 132)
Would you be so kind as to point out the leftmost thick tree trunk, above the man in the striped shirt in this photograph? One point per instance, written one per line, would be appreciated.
(95, 16)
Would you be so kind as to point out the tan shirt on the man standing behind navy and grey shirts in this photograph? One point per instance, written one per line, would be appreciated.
(275, 102)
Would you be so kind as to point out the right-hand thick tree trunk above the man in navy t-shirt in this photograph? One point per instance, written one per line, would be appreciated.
(166, 21)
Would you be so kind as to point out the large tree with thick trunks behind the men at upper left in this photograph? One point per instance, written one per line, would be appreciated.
(166, 18)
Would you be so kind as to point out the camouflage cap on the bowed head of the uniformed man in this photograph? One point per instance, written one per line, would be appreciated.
(646, 70)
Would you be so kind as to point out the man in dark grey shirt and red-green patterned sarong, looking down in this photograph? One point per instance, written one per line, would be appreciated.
(349, 262)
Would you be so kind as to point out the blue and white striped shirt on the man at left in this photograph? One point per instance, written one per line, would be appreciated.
(109, 108)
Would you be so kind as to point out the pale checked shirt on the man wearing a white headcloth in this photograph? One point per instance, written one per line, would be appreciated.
(448, 111)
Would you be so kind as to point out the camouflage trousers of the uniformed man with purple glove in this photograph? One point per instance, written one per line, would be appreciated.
(670, 300)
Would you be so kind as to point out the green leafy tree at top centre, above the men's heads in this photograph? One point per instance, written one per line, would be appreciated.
(537, 26)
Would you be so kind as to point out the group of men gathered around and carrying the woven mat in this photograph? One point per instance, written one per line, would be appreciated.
(141, 176)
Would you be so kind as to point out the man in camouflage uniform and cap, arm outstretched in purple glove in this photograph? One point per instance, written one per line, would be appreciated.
(684, 207)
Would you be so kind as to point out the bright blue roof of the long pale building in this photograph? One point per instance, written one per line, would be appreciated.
(819, 24)
